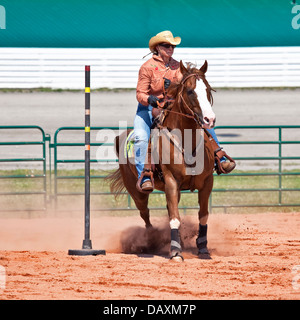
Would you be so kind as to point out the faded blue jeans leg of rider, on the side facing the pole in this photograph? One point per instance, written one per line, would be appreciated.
(142, 124)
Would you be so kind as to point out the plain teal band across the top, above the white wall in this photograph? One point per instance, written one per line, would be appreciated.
(131, 23)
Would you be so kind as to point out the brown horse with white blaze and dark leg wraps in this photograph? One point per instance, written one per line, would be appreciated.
(183, 114)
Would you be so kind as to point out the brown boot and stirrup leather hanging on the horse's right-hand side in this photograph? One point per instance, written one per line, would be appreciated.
(224, 167)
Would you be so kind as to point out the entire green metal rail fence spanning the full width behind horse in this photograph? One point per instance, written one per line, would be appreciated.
(272, 186)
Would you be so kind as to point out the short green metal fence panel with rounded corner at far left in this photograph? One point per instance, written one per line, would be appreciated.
(24, 175)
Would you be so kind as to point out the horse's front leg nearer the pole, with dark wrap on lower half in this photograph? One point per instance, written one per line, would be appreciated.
(172, 195)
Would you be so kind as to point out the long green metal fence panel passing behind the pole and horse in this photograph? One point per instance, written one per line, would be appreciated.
(277, 187)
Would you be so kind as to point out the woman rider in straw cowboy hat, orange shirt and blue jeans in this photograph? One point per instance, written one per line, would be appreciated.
(154, 75)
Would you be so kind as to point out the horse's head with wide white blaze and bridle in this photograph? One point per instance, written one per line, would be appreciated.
(196, 91)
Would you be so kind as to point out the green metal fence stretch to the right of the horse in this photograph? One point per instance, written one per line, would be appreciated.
(278, 188)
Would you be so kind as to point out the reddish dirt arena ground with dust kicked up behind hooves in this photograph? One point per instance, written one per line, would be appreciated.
(252, 255)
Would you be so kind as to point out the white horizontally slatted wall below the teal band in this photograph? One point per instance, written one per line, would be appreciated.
(118, 68)
